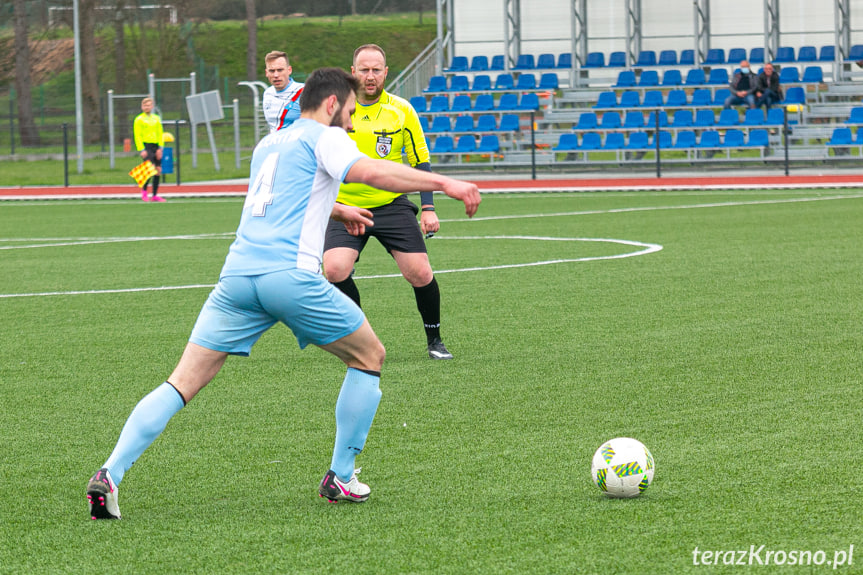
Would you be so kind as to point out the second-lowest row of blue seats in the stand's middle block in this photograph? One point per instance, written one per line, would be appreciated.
(704, 118)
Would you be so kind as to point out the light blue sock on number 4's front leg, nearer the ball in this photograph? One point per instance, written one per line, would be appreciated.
(355, 409)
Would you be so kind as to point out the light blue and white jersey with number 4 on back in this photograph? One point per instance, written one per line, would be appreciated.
(294, 182)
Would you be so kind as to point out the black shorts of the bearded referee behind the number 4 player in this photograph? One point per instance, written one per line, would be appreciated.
(396, 228)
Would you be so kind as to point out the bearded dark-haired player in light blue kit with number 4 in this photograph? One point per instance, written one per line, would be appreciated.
(272, 274)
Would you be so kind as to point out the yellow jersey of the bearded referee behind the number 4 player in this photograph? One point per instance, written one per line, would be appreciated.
(384, 130)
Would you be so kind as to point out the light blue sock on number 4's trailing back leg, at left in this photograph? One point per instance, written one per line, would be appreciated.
(144, 425)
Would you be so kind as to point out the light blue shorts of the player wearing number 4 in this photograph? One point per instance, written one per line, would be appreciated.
(241, 308)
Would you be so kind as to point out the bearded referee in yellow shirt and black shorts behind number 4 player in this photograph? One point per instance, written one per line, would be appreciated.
(385, 126)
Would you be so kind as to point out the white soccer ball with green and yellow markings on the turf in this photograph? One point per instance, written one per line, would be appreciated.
(622, 467)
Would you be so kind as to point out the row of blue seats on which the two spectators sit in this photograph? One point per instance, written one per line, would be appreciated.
(717, 76)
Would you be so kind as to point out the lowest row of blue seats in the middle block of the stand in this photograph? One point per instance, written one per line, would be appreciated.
(709, 139)
